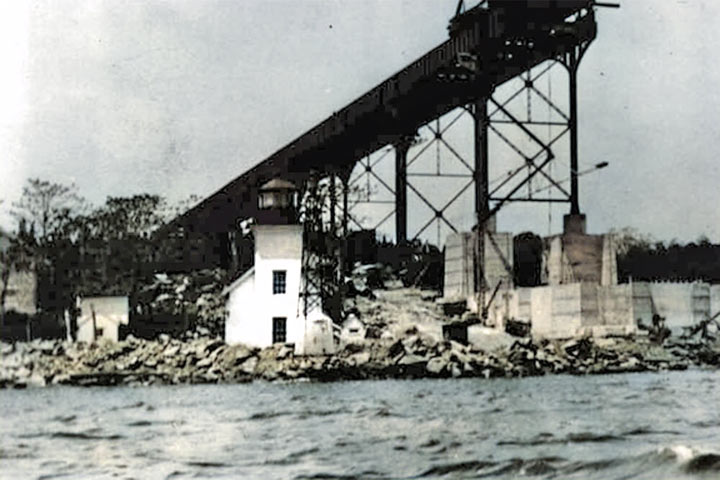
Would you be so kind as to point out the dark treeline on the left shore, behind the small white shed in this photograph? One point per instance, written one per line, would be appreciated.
(78, 249)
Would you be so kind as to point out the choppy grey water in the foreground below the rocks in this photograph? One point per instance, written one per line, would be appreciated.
(645, 426)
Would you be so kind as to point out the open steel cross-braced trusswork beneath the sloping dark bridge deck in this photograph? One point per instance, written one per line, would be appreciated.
(512, 121)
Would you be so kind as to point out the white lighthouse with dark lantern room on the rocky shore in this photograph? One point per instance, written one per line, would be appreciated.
(264, 304)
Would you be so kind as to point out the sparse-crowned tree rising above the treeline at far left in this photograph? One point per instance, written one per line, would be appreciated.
(47, 208)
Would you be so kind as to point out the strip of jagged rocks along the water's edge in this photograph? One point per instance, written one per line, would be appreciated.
(210, 360)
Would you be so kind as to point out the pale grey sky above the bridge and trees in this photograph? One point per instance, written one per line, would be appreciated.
(179, 97)
